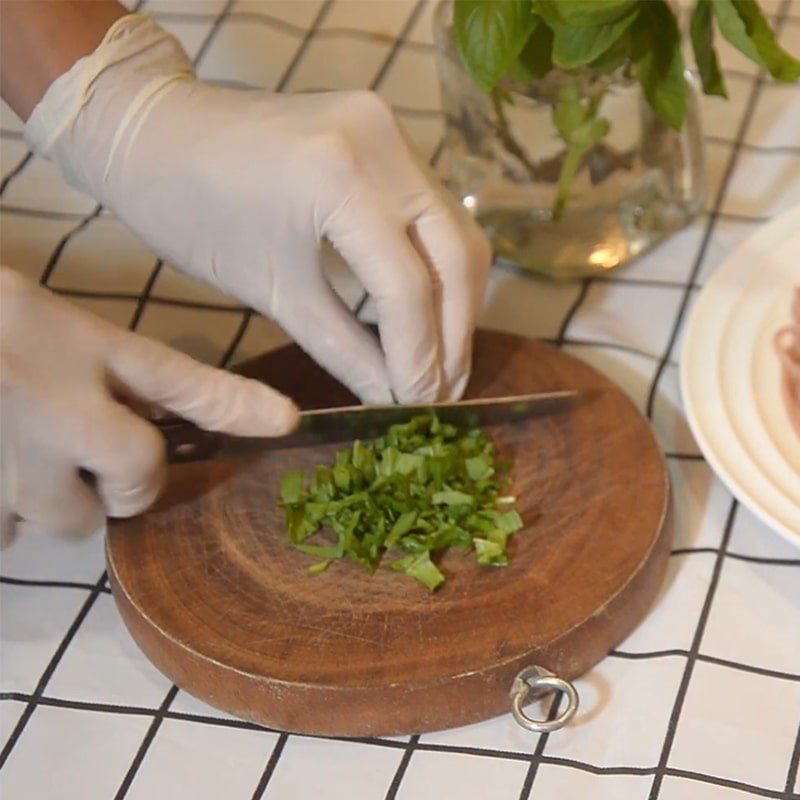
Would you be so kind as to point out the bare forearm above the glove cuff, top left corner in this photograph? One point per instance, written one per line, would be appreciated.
(41, 39)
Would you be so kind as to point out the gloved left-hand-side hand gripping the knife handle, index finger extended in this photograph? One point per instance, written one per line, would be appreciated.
(62, 374)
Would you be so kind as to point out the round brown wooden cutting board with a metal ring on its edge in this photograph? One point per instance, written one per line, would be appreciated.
(213, 593)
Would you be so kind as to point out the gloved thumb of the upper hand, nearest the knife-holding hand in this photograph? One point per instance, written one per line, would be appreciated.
(317, 319)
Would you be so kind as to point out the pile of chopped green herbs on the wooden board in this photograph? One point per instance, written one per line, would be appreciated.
(417, 490)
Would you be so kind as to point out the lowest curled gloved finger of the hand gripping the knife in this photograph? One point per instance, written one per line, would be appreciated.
(55, 500)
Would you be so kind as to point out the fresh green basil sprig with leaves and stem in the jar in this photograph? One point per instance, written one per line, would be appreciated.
(503, 42)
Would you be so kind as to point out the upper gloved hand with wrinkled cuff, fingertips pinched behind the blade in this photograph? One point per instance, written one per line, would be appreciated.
(240, 188)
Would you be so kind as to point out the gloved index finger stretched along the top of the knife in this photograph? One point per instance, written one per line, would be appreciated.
(211, 398)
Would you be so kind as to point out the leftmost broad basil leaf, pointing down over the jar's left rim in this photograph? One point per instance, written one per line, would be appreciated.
(490, 34)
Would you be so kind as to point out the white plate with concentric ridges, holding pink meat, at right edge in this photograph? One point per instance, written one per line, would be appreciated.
(730, 374)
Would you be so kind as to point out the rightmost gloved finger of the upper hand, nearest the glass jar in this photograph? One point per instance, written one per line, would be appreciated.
(459, 255)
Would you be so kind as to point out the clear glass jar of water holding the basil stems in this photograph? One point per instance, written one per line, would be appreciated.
(504, 159)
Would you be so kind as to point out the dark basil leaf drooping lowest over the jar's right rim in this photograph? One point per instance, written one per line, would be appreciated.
(656, 53)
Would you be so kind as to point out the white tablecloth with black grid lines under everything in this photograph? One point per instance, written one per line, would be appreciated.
(702, 702)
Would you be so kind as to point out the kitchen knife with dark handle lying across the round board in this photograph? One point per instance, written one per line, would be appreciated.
(186, 442)
